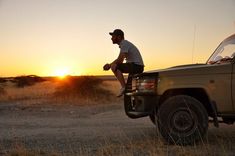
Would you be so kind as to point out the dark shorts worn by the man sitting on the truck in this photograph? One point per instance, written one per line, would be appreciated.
(131, 68)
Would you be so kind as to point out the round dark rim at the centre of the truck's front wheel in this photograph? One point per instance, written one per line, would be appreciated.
(183, 122)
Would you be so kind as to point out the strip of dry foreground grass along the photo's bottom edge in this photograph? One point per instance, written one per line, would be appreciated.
(146, 146)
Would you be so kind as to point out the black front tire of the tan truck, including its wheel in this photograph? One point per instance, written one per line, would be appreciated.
(182, 120)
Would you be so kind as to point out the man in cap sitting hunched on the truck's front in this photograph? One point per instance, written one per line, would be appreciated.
(128, 51)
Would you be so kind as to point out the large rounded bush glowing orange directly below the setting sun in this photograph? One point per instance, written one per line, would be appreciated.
(83, 86)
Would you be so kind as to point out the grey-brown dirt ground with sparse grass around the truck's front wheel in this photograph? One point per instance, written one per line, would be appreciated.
(96, 130)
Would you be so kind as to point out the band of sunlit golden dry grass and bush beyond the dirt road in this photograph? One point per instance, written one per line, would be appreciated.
(72, 90)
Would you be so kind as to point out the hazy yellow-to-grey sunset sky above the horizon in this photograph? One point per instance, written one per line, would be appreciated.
(50, 37)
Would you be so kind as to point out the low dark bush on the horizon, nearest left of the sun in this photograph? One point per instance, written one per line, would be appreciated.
(22, 81)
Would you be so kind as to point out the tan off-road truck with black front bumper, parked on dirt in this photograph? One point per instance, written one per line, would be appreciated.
(181, 100)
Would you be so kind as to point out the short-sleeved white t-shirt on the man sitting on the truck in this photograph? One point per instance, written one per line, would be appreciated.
(133, 54)
